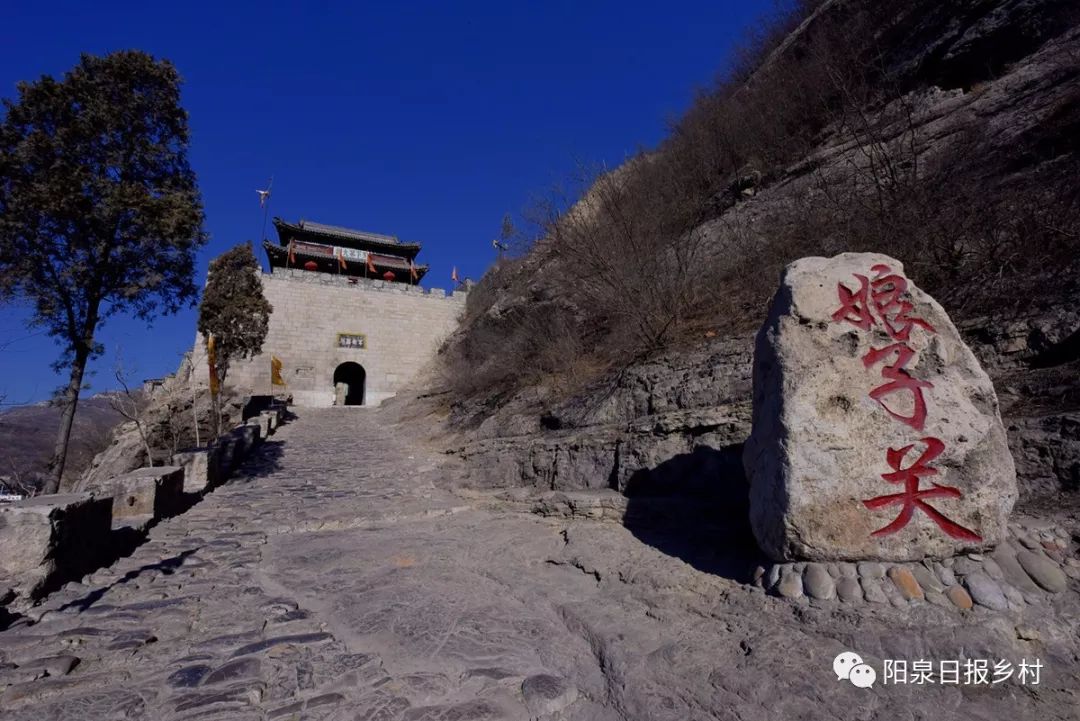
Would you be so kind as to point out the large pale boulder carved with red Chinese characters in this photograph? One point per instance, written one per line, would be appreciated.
(876, 434)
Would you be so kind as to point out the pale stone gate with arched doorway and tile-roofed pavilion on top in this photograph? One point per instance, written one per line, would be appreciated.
(350, 323)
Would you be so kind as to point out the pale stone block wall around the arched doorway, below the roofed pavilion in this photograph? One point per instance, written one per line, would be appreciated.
(402, 327)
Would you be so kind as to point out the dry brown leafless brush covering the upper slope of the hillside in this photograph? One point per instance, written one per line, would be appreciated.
(661, 249)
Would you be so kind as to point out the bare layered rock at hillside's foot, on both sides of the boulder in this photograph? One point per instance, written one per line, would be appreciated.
(680, 421)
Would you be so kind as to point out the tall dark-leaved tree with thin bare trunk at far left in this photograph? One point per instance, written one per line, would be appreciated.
(100, 211)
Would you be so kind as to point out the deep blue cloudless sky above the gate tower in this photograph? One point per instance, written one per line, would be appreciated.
(424, 120)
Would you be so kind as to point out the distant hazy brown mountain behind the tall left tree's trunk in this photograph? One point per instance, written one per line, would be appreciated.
(29, 436)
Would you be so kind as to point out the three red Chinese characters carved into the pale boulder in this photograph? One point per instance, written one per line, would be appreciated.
(882, 303)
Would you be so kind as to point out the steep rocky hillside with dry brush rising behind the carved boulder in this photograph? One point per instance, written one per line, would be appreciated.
(617, 352)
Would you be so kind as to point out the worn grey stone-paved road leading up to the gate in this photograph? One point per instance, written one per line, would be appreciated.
(341, 577)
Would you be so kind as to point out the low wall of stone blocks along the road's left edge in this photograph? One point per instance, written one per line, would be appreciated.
(50, 540)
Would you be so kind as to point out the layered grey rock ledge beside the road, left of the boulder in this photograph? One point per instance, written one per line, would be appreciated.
(657, 423)
